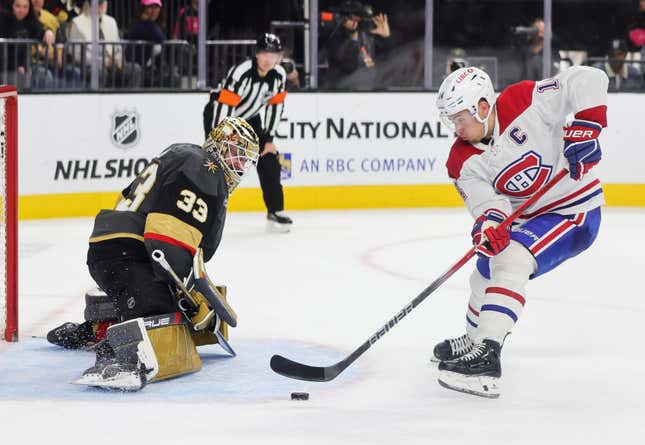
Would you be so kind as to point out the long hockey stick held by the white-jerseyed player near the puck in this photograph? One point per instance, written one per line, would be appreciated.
(295, 370)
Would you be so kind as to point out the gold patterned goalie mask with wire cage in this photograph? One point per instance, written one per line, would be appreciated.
(234, 142)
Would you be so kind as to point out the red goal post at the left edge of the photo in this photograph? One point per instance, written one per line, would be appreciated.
(9, 213)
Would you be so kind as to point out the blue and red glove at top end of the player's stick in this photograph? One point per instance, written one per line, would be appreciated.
(581, 147)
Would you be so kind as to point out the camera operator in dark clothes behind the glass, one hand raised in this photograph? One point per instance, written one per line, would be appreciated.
(352, 48)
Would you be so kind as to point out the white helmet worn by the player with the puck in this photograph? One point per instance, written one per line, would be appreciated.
(462, 90)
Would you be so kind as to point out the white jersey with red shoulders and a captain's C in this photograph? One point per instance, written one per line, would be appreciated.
(527, 147)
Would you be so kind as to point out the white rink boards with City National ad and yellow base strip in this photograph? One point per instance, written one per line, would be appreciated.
(337, 150)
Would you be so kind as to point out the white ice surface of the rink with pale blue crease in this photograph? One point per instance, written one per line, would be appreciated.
(573, 368)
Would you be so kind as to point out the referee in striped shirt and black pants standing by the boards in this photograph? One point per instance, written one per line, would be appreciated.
(255, 90)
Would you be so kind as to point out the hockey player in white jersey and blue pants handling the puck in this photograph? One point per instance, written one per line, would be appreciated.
(507, 148)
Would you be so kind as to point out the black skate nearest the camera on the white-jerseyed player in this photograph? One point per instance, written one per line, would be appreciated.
(477, 372)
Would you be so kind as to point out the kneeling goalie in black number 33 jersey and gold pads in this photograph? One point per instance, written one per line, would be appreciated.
(156, 303)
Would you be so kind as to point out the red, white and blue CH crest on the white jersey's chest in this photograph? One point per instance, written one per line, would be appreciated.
(524, 176)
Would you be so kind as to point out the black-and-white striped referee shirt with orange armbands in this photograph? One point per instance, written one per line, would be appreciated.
(243, 93)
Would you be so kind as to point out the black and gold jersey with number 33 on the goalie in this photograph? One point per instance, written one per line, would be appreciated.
(178, 204)
